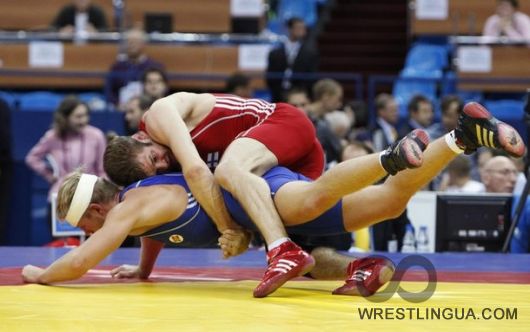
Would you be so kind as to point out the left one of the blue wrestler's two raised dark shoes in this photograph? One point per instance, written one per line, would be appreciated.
(405, 153)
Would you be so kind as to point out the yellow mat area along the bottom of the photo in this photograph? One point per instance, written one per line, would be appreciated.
(229, 306)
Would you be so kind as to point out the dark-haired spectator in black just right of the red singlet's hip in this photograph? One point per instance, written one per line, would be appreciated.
(327, 98)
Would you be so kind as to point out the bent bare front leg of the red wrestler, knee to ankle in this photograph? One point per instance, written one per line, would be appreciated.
(239, 171)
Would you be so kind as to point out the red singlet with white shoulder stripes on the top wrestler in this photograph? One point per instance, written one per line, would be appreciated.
(285, 130)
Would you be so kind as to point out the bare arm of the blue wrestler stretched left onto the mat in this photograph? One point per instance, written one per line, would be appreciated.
(136, 211)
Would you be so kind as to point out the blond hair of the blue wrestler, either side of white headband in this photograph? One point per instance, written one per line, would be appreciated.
(104, 191)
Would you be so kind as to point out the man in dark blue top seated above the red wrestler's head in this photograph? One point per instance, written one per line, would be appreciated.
(123, 80)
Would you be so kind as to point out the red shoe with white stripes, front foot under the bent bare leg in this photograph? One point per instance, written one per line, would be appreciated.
(287, 261)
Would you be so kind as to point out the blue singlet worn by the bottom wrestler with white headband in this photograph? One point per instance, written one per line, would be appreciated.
(195, 228)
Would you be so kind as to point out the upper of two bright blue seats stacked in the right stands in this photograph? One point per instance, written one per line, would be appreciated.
(425, 61)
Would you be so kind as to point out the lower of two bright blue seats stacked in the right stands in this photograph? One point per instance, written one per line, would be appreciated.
(406, 88)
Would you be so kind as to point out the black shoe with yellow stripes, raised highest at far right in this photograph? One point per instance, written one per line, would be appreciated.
(477, 127)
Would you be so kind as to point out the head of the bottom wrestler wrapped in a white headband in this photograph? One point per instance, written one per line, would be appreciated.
(84, 200)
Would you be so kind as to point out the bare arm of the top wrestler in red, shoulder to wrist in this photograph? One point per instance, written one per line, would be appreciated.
(166, 125)
